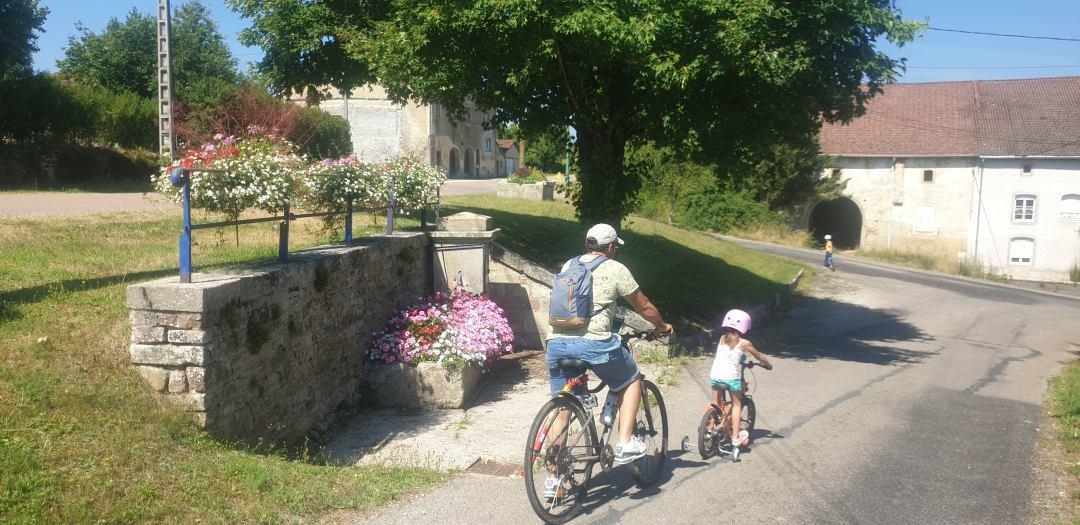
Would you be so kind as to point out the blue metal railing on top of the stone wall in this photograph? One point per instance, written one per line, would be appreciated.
(182, 179)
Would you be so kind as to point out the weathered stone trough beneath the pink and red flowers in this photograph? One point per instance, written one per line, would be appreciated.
(423, 385)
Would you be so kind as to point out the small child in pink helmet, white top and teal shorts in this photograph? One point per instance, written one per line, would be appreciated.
(726, 373)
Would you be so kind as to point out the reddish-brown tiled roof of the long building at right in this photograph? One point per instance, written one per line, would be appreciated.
(1025, 117)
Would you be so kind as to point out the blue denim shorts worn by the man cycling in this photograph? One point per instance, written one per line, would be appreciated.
(607, 359)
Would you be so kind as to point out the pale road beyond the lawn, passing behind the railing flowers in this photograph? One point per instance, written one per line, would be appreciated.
(58, 204)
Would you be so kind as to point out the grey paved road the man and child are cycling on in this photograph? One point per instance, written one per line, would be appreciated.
(898, 398)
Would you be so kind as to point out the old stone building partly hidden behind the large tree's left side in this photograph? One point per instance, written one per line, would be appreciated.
(382, 129)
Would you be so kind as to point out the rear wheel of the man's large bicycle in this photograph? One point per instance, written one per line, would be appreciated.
(560, 435)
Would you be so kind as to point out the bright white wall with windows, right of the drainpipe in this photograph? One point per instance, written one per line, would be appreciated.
(1057, 237)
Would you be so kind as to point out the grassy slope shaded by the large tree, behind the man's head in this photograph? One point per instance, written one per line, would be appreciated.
(694, 278)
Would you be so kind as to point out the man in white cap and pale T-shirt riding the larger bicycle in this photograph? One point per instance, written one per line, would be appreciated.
(599, 346)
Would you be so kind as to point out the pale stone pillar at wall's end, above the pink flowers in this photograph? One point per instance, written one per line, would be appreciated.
(463, 250)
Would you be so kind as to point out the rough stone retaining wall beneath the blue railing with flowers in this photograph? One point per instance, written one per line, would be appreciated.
(275, 351)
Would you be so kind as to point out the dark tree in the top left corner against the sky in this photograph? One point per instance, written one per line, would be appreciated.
(20, 22)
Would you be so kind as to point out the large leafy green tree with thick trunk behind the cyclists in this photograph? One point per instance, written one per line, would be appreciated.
(712, 76)
